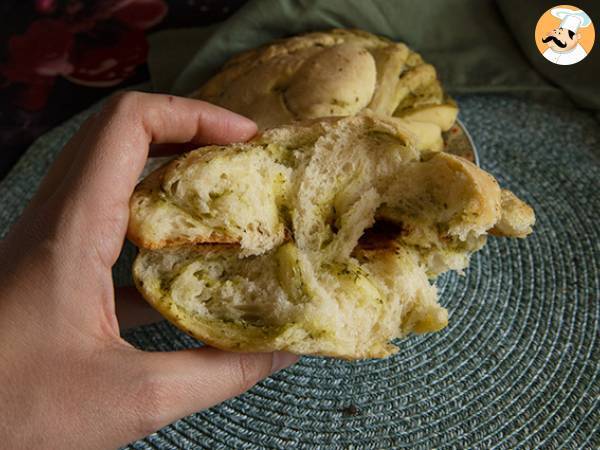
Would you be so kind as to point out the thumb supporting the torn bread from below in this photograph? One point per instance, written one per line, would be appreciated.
(180, 383)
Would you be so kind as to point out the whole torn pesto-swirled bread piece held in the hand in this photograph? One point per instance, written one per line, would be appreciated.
(356, 223)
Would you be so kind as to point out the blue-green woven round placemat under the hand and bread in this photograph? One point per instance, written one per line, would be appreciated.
(517, 367)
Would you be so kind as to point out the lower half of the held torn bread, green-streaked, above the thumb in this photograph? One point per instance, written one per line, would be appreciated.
(348, 309)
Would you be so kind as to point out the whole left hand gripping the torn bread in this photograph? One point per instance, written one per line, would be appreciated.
(67, 379)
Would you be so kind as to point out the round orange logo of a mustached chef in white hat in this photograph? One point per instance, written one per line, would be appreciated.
(565, 35)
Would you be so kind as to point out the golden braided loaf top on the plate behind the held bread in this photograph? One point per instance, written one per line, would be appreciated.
(338, 72)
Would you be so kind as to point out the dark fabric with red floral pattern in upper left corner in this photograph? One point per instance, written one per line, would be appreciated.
(58, 57)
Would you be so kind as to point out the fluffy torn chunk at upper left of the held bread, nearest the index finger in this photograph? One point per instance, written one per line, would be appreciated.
(211, 195)
